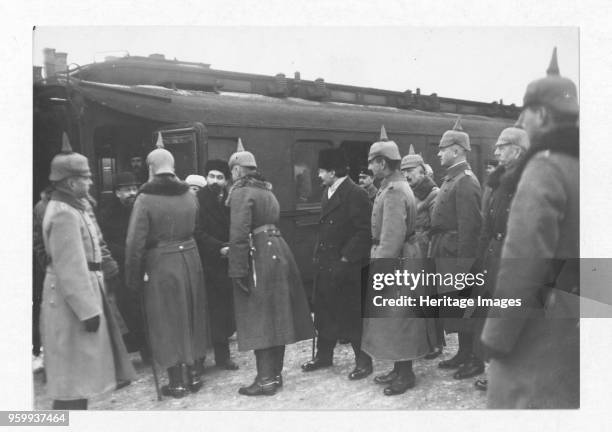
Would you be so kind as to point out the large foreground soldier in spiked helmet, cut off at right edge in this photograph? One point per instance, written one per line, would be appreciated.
(535, 349)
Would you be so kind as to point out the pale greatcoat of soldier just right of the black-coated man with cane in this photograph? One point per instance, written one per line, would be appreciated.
(404, 333)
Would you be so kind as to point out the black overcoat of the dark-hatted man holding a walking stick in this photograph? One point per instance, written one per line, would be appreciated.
(344, 231)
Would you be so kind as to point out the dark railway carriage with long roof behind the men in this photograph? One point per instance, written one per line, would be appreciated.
(110, 122)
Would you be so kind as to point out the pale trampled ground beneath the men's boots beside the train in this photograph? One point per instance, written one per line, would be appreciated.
(325, 389)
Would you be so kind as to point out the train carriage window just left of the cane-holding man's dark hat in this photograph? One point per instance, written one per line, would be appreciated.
(308, 188)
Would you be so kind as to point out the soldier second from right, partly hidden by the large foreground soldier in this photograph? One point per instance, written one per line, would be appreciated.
(510, 147)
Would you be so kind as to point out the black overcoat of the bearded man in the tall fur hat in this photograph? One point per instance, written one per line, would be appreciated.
(212, 234)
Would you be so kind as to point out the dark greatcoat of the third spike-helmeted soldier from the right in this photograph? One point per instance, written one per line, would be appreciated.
(455, 226)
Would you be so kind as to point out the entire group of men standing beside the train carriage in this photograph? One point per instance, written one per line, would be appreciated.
(218, 263)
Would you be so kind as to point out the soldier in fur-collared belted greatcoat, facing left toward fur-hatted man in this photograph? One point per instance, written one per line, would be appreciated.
(269, 300)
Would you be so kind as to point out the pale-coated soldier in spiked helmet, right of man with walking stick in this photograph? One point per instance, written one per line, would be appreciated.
(401, 335)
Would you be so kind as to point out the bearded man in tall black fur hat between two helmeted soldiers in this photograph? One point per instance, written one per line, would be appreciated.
(212, 235)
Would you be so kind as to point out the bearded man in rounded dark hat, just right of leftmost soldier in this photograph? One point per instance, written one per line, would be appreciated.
(114, 221)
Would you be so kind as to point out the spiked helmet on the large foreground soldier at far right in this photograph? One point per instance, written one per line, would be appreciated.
(553, 91)
